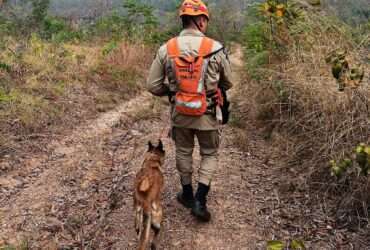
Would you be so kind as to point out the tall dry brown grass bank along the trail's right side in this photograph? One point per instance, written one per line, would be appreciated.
(298, 103)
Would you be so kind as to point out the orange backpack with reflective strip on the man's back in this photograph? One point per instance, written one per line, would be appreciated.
(189, 71)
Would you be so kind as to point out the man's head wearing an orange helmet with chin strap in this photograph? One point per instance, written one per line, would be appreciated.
(194, 14)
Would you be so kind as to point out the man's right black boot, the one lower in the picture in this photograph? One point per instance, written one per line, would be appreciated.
(199, 210)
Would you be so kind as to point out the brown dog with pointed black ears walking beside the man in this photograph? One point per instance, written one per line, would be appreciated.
(147, 196)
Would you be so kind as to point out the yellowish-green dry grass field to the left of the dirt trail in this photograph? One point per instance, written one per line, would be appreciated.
(44, 83)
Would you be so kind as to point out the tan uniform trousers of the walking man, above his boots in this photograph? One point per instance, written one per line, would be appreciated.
(209, 141)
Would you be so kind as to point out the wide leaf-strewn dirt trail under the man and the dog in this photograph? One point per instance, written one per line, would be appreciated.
(77, 195)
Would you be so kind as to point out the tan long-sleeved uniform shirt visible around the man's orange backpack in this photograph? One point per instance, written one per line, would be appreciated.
(218, 74)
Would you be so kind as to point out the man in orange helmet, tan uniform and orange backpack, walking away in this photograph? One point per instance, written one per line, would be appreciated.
(198, 72)
